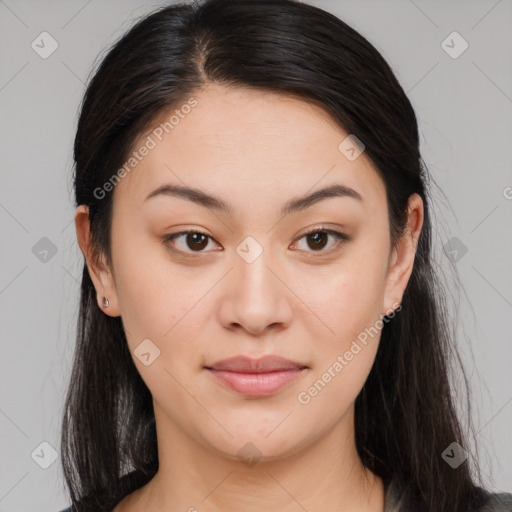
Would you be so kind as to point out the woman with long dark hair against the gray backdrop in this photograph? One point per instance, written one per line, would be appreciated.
(261, 327)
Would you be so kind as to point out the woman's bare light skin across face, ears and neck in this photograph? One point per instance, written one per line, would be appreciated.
(255, 150)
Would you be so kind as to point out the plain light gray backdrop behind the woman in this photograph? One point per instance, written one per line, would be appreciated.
(464, 109)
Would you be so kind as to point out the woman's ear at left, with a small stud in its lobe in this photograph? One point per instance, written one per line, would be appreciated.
(100, 273)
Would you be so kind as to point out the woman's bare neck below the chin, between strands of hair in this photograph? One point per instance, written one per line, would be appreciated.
(326, 475)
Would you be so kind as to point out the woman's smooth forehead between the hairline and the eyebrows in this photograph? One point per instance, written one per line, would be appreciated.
(234, 140)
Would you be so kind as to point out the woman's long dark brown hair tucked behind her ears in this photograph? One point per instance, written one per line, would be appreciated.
(405, 414)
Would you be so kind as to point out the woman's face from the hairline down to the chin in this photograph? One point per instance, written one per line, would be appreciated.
(252, 282)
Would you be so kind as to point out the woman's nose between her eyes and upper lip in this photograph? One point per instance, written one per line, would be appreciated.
(255, 297)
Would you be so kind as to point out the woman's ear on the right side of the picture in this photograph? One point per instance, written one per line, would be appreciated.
(402, 257)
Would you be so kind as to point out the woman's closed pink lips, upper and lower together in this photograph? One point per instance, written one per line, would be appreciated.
(256, 377)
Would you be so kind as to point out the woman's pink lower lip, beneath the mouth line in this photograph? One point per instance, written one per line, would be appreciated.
(257, 384)
